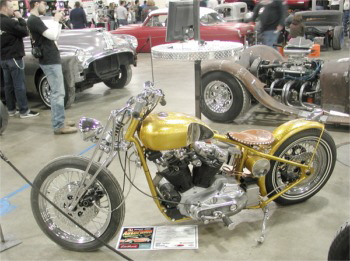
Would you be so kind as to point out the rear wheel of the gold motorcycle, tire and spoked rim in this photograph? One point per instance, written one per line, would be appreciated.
(299, 147)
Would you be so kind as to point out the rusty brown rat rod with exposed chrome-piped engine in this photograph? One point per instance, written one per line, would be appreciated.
(293, 86)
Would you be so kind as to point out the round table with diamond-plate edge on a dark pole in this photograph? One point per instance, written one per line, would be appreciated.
(197, 52)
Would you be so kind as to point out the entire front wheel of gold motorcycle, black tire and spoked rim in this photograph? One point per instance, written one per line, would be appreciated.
(63, 232)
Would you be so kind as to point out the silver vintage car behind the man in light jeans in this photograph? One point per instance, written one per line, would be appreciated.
(88, 56)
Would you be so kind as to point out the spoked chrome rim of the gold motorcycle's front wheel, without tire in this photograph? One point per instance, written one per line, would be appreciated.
(59, 188)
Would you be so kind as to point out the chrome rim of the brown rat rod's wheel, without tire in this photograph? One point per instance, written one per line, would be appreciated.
(218, 96)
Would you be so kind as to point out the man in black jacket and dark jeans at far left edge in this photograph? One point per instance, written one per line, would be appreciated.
(12, 32)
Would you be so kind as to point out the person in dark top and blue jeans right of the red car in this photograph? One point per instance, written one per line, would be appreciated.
(271, 14)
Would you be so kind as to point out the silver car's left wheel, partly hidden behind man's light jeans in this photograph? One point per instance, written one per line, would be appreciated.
(44, 91)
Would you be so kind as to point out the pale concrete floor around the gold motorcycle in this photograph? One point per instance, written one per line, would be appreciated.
(298, 232)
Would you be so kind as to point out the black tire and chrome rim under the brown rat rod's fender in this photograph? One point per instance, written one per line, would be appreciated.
(235, 99)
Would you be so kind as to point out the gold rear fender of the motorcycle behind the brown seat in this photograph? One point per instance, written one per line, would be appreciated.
(284, 132)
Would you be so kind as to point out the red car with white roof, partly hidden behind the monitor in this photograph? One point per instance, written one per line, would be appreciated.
(212, 27)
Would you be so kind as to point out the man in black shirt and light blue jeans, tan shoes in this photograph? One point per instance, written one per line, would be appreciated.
(50, 63)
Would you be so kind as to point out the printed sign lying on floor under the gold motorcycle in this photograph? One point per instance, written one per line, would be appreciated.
(158, 238)
